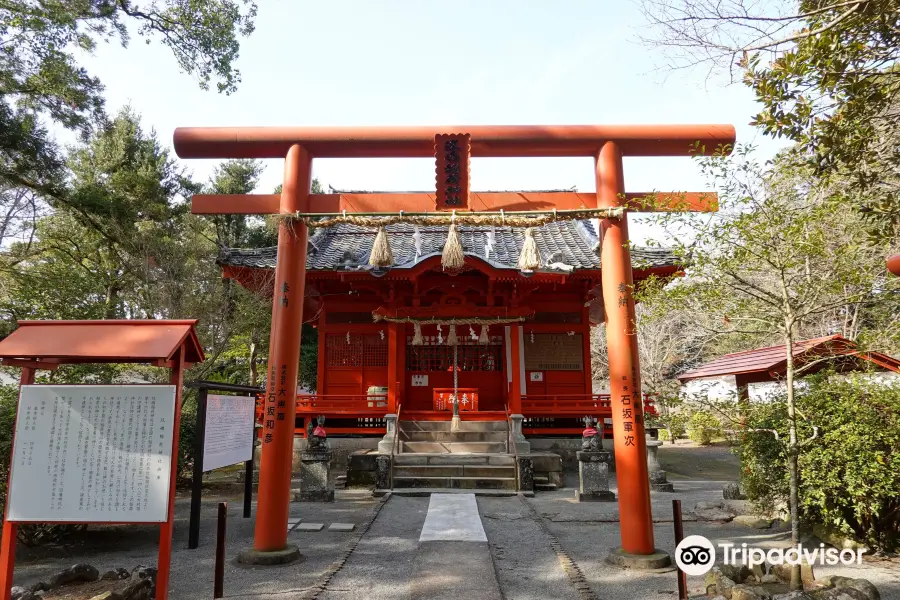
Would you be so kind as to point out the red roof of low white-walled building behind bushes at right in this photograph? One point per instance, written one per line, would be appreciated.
(763, 365)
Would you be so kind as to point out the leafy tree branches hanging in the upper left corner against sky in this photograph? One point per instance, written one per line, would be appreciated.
(41, 78)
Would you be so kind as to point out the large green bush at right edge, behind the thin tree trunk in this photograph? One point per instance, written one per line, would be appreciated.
(850, 470)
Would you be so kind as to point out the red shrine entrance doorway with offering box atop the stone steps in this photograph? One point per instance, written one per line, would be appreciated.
(480, 377)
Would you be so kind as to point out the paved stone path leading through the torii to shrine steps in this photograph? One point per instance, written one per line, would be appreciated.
(437, 548)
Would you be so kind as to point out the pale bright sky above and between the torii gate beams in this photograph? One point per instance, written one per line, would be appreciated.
(392, 62)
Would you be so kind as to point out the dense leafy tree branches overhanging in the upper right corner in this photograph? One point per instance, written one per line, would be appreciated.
(834, 93)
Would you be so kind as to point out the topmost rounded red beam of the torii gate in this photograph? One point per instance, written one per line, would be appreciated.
(404, 142)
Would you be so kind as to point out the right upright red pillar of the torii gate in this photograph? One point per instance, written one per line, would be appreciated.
(636, 523)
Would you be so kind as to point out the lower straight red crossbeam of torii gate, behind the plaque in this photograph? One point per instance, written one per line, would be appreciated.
(268, 204)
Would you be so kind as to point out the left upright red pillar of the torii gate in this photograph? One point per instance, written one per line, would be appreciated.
(284, 358)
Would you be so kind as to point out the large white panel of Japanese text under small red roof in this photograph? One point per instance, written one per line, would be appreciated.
(93, 453)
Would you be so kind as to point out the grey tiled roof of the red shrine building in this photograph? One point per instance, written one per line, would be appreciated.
(563, 246)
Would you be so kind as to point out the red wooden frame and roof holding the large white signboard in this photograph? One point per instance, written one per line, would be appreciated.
(48, 344)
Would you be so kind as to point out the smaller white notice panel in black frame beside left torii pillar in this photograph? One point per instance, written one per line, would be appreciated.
(228, 437)
